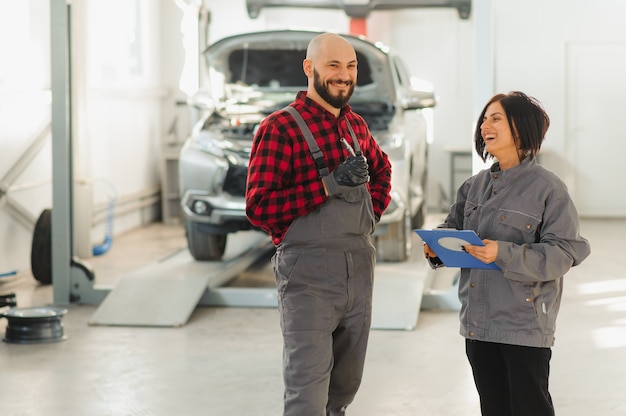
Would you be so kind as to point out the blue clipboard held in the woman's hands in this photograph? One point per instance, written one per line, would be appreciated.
(447, 243)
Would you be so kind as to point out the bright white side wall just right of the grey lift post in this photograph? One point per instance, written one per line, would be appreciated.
(119, 87)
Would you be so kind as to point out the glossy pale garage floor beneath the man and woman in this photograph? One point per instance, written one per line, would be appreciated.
(227, 361)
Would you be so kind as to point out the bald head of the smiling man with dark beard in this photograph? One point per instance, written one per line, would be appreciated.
(331, 67)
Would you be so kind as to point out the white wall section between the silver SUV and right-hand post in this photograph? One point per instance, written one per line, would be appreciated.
(437, 46)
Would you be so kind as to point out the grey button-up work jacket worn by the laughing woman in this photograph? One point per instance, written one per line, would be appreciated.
(528, 210)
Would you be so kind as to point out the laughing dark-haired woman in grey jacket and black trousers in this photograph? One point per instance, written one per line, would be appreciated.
(530, 230)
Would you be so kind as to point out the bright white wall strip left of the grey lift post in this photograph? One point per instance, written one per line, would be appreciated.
(24, 113)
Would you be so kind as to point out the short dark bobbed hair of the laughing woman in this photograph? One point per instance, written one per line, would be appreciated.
(528, 120)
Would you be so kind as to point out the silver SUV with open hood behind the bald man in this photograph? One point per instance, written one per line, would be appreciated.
(251, 75)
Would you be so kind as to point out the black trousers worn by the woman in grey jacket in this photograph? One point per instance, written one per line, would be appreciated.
(511, 380)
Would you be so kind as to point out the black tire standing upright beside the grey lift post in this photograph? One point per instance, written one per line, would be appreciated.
(41, 249)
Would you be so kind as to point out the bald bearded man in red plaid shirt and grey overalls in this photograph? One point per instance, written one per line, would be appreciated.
(320, 200)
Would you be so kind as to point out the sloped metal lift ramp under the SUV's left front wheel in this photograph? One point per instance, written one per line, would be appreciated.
(165, 294)
